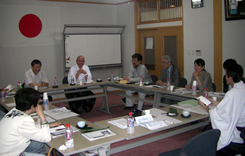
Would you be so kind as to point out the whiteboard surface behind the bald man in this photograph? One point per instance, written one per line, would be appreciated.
(98, 49)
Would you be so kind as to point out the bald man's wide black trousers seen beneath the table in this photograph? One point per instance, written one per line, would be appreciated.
(80, 105)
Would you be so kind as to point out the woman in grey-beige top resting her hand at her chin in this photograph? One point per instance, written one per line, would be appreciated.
(202, 77)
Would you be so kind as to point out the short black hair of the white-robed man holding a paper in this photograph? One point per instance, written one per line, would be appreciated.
(235, 71)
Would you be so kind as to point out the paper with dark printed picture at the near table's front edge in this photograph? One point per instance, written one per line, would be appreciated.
(98, 134)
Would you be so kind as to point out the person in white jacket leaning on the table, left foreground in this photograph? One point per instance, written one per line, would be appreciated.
(17, 127)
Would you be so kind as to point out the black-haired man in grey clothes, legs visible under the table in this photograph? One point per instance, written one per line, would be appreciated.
(136, 70)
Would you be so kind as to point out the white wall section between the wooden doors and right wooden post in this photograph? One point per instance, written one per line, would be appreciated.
(198, 35)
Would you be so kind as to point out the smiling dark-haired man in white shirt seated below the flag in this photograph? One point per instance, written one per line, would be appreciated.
(35, 76)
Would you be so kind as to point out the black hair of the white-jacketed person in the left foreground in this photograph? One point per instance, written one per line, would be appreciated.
(25, 98)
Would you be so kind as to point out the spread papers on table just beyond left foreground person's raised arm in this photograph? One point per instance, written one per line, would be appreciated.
(60, 113)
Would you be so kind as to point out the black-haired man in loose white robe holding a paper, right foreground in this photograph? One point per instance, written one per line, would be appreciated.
(228, 116)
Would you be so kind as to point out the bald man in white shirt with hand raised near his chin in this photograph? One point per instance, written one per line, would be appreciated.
(80, 71)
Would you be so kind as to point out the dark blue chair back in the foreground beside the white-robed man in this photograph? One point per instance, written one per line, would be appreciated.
(201, 145)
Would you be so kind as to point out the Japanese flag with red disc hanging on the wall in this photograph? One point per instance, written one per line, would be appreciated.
(29, 25)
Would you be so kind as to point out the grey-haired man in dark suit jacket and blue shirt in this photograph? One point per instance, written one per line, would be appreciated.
(169, 71)
